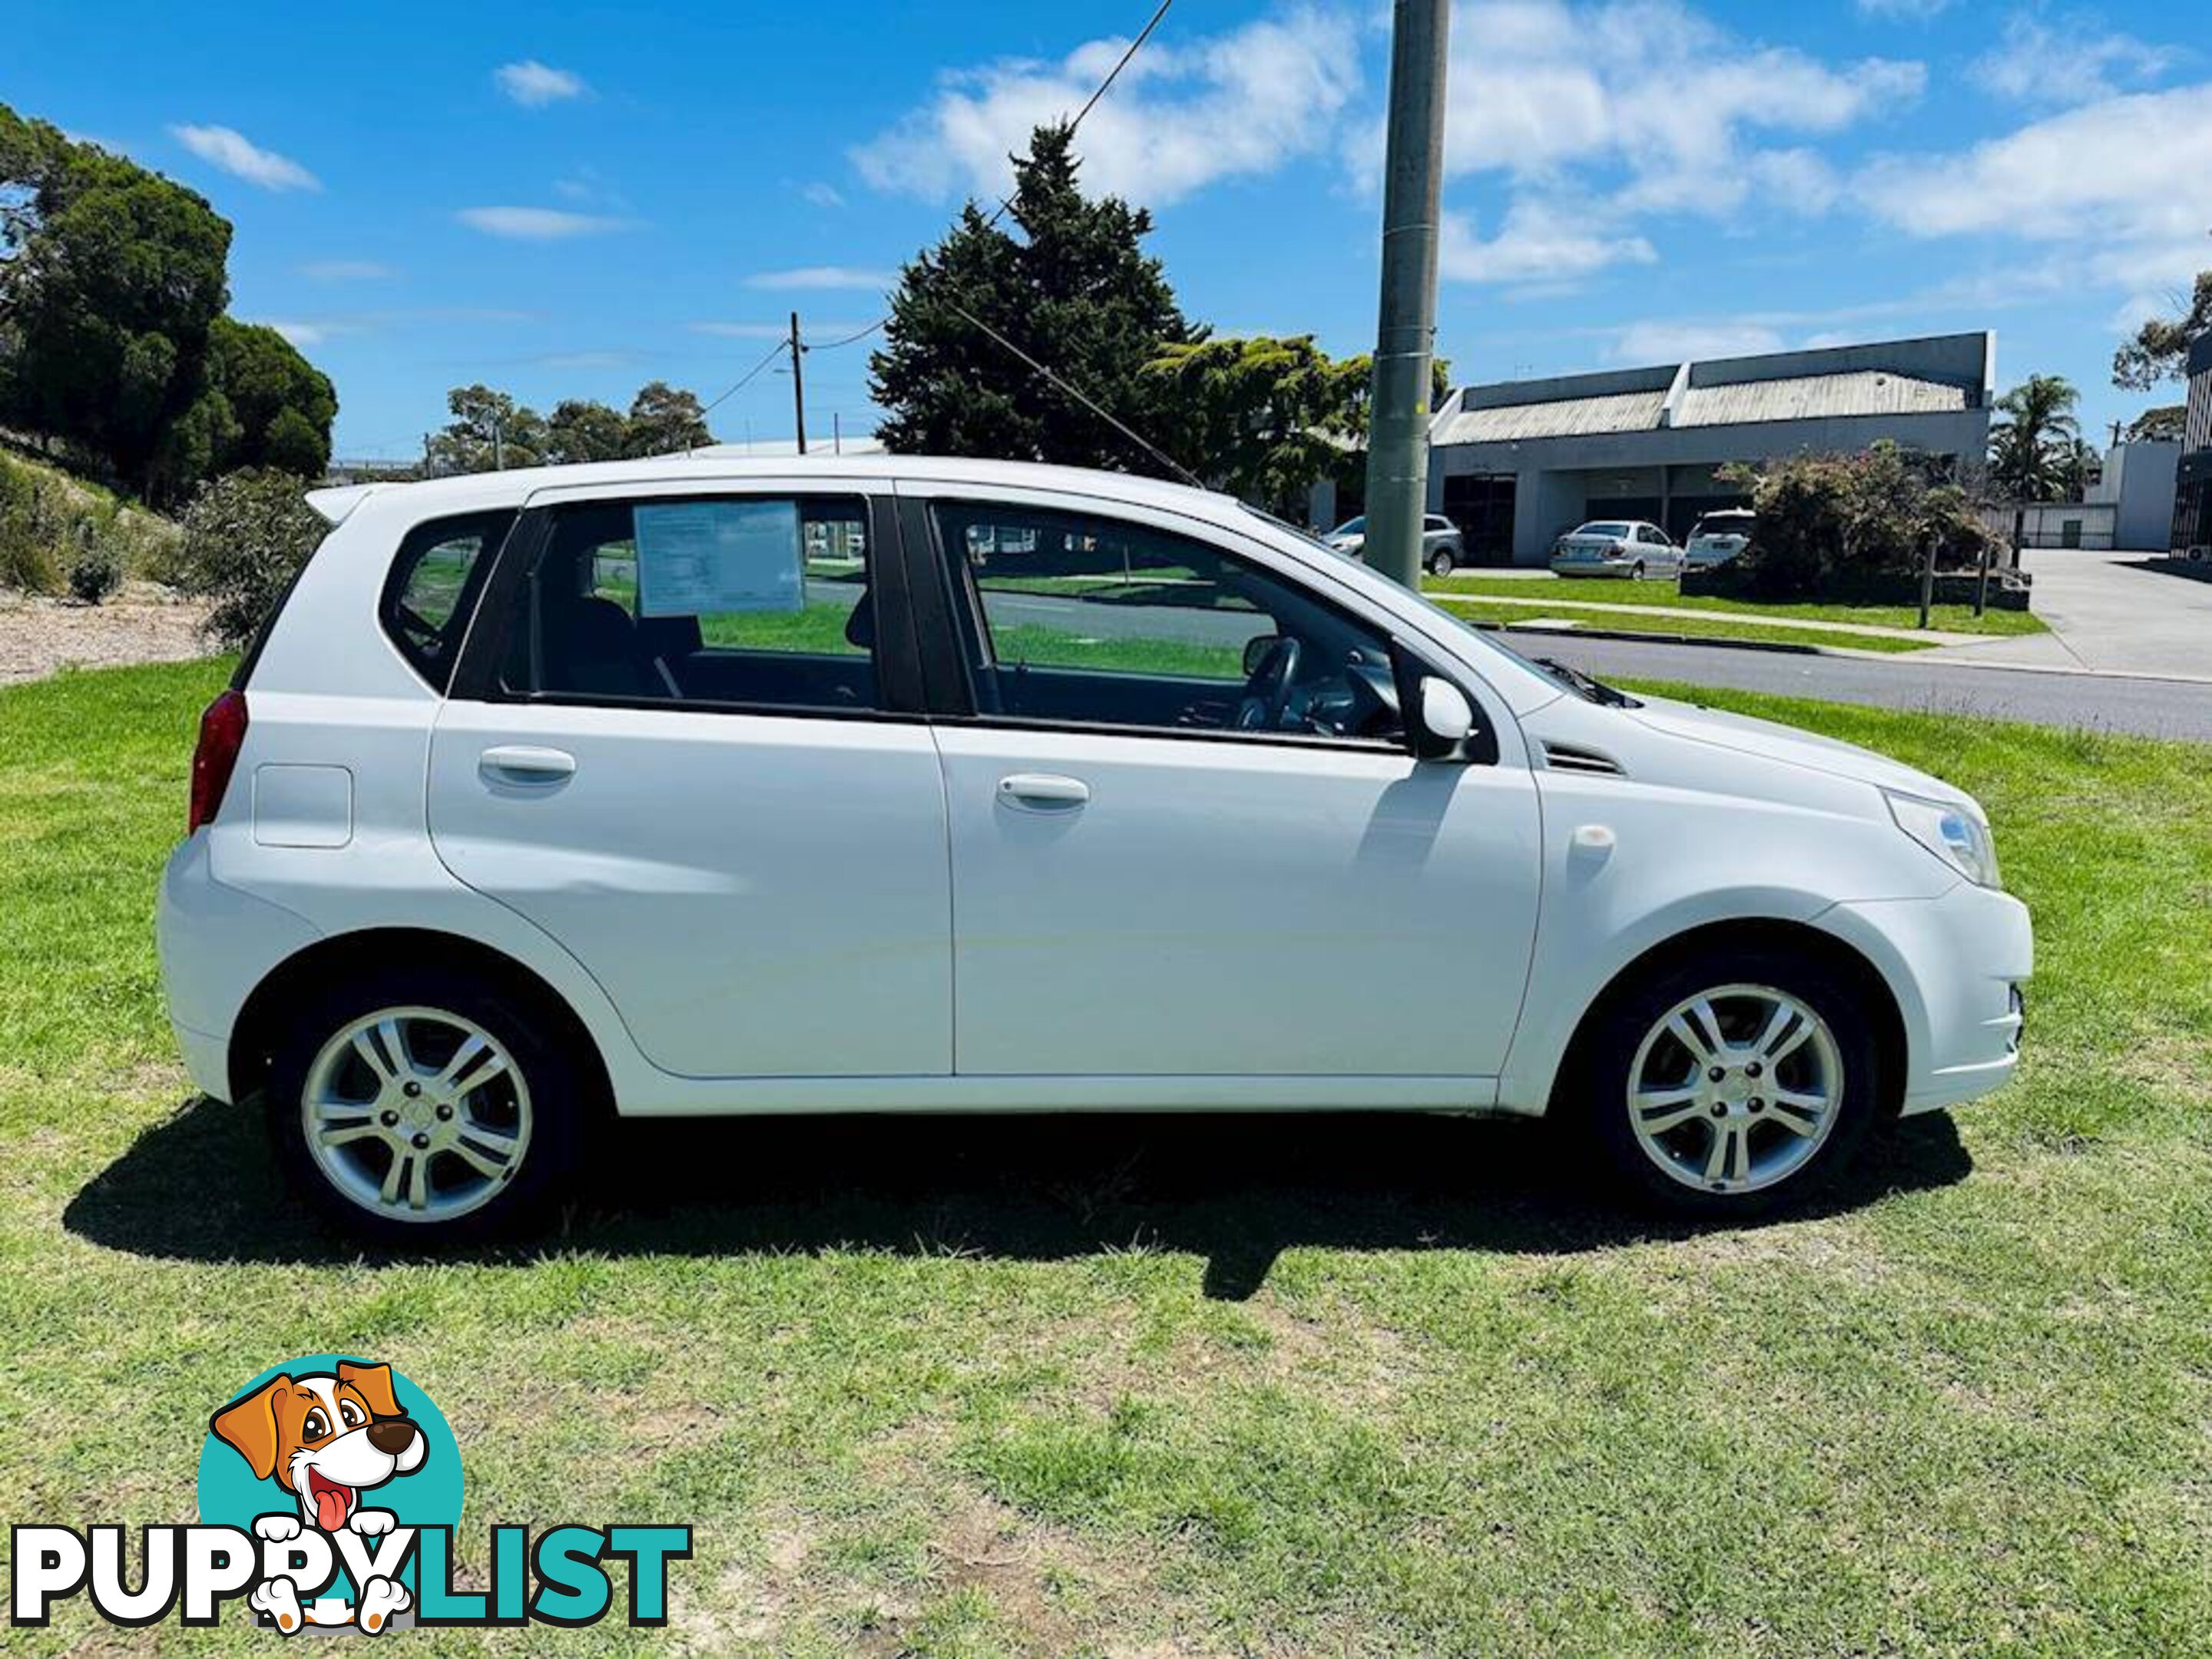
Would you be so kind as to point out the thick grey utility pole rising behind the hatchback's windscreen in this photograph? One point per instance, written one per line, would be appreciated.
(1406, 335)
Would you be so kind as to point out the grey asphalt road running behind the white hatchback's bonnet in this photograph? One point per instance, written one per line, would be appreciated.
(2096, 702)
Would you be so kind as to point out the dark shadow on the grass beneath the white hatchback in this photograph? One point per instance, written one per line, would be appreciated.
(1233, 1189)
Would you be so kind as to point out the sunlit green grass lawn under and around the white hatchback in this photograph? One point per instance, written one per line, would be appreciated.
(1196, 1386)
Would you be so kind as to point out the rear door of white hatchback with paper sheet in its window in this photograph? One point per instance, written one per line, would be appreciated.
(680, 753)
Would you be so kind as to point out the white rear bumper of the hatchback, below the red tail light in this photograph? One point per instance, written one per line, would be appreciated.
(216, 948)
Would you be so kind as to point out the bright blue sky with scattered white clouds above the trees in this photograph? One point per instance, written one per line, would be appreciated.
(572, 200)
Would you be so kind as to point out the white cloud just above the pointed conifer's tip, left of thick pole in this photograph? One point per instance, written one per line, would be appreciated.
(1180, 118)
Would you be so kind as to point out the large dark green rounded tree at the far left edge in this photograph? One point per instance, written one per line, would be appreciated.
(112, 280)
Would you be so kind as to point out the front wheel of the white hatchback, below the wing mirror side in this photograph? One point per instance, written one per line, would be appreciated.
(1660, 1123)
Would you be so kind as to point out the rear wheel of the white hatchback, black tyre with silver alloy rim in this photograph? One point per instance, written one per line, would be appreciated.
(497, 1138)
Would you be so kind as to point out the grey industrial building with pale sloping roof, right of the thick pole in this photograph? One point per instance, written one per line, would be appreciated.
(1519, 463)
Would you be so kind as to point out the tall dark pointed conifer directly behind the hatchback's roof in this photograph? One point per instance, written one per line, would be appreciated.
(1074, 289)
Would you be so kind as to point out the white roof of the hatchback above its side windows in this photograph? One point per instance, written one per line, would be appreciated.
(490, 492)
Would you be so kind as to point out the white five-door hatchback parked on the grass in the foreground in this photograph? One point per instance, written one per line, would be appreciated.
(893, 784)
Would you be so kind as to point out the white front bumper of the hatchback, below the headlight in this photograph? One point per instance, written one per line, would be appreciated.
(1959, 968)
